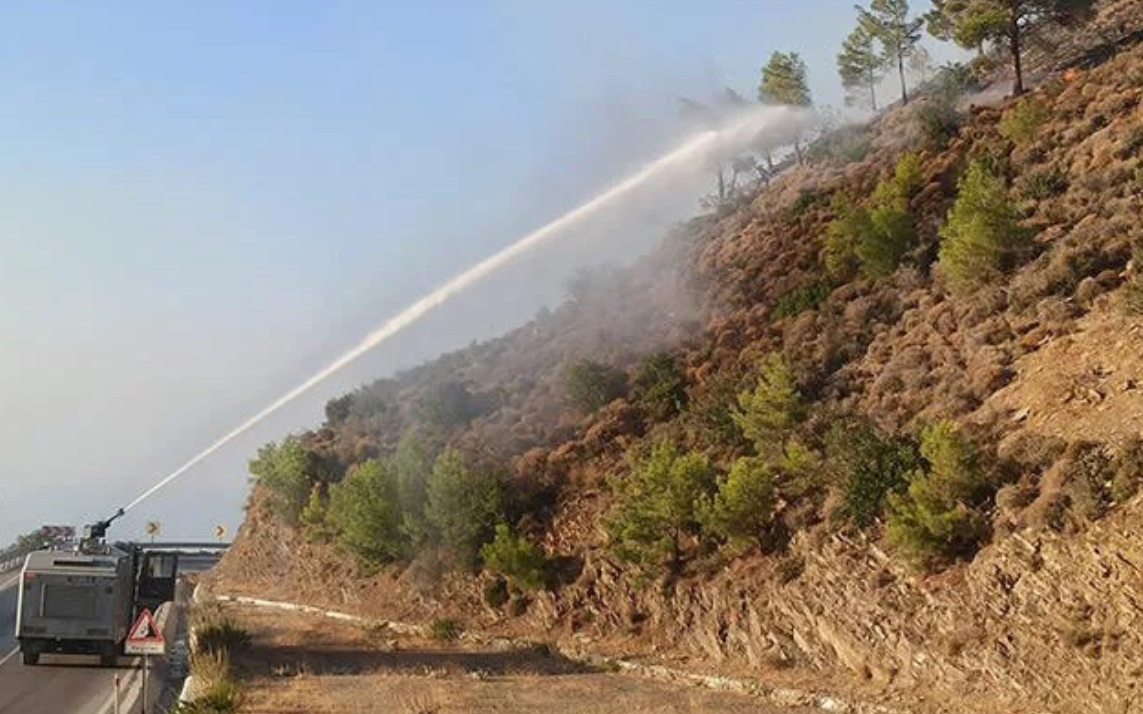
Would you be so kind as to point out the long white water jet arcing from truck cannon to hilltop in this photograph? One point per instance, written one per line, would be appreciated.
(418, 310)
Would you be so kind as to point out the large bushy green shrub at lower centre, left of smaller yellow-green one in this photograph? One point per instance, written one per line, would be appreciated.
(657, 507)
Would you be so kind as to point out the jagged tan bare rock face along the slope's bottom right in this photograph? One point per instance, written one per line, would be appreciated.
(1038, 619)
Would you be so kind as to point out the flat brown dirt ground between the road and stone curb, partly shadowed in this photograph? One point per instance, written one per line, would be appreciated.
(309, 664)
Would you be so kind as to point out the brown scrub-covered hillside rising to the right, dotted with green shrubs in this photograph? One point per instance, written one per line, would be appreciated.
(1019, 396)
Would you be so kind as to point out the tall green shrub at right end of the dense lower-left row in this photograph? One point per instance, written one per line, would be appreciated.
(463, 507)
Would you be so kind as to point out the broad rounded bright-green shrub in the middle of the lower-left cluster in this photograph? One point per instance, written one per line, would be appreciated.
(366, 516)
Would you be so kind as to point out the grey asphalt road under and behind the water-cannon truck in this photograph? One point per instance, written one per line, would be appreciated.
(61, 685)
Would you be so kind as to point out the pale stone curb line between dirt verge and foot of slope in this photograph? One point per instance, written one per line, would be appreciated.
(777, 696)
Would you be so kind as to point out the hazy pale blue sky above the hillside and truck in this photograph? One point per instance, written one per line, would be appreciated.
(203, 202)
